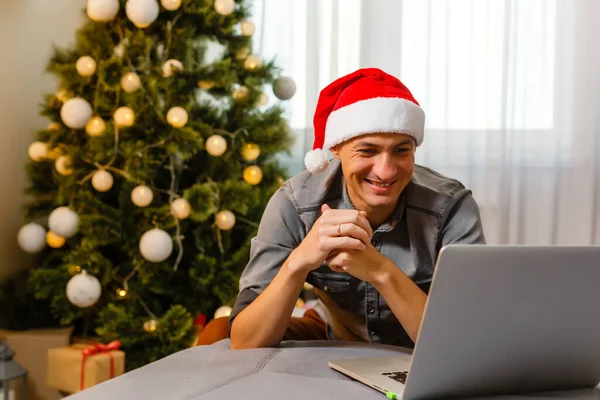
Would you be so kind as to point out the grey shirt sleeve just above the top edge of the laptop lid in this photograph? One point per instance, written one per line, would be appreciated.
(463, 224)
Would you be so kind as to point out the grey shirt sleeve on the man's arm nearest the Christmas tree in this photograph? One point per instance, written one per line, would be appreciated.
(280, 232)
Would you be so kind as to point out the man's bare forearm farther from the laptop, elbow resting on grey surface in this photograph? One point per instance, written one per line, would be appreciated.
(264, 321)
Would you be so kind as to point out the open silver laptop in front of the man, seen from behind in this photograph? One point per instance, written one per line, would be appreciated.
(499, 320)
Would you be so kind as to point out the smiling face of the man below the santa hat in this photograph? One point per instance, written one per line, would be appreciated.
(376, 167)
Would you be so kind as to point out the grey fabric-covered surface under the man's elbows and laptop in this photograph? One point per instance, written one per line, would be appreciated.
(295, 370)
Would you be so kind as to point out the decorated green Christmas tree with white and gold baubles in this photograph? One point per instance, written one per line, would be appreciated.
(151, 179)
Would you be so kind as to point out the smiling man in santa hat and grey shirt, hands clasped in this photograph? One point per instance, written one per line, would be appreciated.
(365, 230)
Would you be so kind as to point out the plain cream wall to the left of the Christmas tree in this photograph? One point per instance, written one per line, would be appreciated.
(28, 28)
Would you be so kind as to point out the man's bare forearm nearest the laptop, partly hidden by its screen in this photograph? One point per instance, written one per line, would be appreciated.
(406, 300)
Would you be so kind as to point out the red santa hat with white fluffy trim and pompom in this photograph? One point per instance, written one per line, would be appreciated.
(365, 101)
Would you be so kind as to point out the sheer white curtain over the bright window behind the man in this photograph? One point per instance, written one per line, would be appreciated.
(511, 92)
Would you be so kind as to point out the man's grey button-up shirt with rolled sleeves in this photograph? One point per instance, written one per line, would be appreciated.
(433, 211)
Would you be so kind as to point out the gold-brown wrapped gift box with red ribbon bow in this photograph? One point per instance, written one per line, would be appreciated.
(70, 370)
